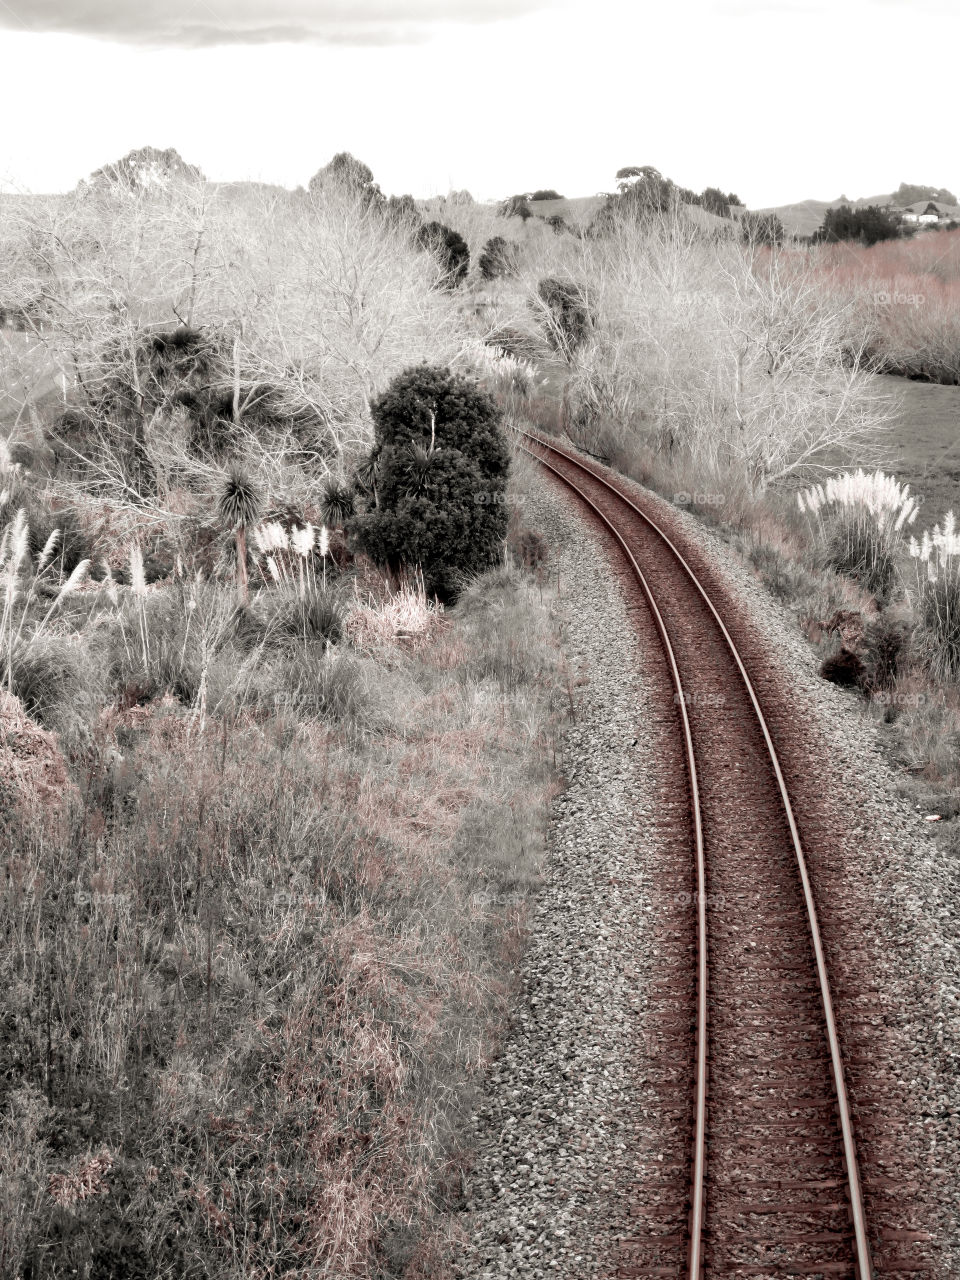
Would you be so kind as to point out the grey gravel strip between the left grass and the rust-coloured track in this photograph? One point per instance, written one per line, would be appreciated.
(560, 1132)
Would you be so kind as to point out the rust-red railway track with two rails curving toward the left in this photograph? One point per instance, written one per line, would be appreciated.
(772, 1183)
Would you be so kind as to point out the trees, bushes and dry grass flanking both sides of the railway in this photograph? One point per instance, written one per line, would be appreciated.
(278, 662)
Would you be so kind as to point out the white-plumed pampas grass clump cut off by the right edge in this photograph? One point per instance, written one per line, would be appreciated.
(939, 597)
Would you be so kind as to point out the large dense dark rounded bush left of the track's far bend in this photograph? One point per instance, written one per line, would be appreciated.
(440, 473)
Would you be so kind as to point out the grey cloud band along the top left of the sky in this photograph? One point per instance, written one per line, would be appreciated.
(202, 24)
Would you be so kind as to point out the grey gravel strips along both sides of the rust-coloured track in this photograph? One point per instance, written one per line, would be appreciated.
(566, 1121)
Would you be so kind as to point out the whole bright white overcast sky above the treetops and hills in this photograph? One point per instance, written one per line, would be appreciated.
(776, 100)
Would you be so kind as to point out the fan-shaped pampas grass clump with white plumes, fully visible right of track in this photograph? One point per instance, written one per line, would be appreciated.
(861, 520)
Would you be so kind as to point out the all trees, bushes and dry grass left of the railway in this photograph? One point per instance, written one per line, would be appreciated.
(277, 730)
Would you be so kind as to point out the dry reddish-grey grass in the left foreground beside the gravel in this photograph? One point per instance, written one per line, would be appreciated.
(257, 966)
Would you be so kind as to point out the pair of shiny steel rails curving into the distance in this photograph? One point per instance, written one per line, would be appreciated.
(863, 1267)
